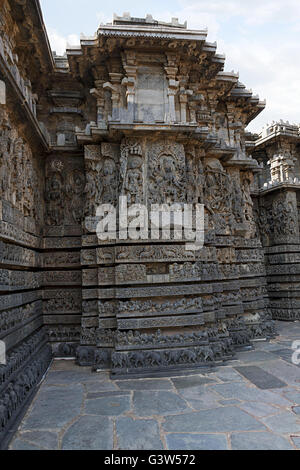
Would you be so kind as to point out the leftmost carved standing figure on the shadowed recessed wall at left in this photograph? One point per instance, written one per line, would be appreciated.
(54, 199)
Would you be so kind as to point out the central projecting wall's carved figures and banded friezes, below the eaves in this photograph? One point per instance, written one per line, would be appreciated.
(154, 305)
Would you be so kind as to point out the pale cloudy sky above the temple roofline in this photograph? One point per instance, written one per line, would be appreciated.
(260, 38)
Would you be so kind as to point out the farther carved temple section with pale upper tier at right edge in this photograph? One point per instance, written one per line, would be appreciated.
(277, 194)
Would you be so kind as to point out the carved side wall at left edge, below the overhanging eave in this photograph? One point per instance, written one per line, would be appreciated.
(21, 280)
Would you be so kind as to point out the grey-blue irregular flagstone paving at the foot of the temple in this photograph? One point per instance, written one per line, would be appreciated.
(251, 403)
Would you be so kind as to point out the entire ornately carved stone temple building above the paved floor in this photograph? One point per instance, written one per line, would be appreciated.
(143, 110)
